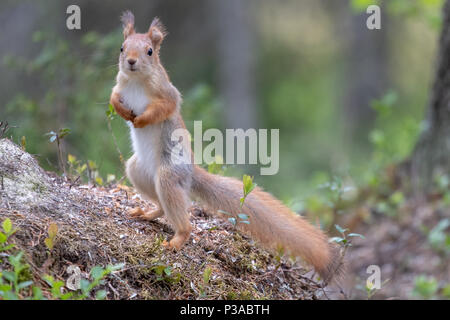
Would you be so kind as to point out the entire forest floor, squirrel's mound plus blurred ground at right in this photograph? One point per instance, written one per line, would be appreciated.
(408, 242)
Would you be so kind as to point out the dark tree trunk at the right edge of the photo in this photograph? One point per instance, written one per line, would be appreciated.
(431, 155)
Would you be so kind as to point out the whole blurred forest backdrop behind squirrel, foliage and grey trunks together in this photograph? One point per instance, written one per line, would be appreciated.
(349, 101)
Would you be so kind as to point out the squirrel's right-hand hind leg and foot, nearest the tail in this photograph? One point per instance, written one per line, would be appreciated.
(174, 201)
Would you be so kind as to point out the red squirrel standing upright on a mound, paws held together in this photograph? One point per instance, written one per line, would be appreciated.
(150, 103)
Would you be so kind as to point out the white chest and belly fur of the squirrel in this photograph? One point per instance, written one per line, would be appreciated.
(145, 141)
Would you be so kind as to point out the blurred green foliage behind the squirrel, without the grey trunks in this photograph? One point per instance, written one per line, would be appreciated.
(302, 67)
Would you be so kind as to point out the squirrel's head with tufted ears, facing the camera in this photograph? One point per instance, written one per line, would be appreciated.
(139, 53)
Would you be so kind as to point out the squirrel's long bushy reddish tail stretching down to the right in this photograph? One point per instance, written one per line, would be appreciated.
(271, 223)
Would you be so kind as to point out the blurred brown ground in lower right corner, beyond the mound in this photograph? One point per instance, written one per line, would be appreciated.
(411, 246)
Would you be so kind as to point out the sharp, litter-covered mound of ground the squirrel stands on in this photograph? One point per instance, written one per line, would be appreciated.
(93, 229)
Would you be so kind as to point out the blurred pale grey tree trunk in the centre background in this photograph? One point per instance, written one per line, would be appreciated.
(236, 62)
